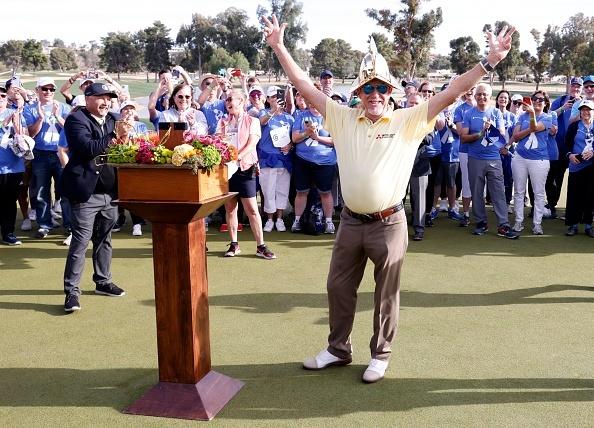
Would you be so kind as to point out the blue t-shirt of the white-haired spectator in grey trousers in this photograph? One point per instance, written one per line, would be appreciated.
(474, 120)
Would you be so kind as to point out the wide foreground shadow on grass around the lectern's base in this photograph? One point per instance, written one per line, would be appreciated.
(286, 391)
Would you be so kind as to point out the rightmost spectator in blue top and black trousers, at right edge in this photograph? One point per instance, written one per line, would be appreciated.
(579, 140)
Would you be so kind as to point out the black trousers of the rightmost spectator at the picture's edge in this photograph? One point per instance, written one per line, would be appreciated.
(580, 197)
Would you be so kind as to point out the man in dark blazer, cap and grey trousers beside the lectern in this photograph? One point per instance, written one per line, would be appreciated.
(91, 187)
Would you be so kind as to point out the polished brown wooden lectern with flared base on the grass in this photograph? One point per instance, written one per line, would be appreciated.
(175, 200)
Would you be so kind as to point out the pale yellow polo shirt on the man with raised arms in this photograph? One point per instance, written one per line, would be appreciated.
(375, 159)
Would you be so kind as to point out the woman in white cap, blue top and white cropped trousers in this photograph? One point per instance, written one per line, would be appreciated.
(275, 163)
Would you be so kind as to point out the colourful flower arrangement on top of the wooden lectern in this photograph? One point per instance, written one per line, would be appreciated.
(199, 151)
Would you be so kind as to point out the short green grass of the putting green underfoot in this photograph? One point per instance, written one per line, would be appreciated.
(492, 333)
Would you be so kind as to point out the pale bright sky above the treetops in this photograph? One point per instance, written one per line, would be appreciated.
(336, 19)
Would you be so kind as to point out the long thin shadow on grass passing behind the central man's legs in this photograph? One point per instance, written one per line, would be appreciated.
(285, 302)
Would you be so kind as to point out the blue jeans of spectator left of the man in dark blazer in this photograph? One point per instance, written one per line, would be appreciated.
(45, 166)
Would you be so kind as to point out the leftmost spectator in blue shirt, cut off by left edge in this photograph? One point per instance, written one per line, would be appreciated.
(12, 169)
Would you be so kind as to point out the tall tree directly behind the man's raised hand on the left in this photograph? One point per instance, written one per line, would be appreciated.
(288, 11)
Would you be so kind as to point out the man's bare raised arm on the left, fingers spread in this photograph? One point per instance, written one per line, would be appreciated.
(274, 34)
